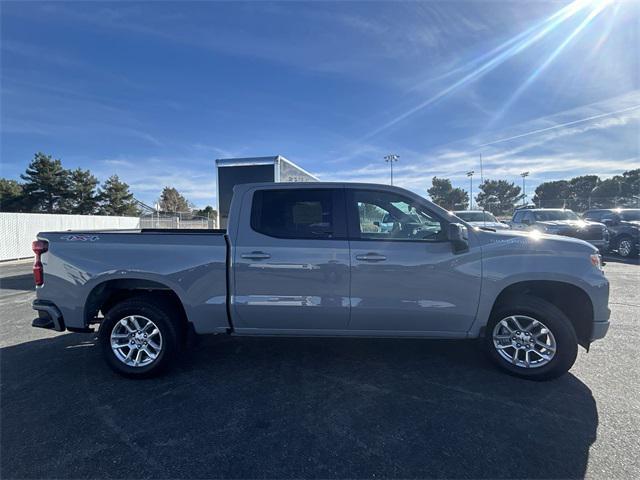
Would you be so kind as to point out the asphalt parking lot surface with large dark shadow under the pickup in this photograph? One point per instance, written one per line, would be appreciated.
(317, 408)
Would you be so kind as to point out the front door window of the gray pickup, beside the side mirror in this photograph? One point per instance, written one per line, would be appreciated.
(388, 216)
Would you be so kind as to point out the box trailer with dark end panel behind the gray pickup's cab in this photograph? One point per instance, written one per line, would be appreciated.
(236, 171)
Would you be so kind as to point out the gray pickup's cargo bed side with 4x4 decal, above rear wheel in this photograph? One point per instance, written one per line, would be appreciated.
(86, 267)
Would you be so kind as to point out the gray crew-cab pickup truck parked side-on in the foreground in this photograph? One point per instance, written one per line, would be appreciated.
(316, 260)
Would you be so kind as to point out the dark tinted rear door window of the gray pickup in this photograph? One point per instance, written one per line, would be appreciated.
(304, 213)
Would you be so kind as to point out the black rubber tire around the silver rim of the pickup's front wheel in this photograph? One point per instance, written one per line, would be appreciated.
(554, 319)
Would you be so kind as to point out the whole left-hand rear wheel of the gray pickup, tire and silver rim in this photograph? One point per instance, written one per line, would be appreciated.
(138, 337)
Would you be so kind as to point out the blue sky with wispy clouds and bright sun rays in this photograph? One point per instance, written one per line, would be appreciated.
(155, 92)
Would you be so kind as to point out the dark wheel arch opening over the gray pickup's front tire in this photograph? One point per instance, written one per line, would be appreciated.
(572, 300)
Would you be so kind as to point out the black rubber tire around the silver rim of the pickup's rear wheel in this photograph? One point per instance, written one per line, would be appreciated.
(160, 313)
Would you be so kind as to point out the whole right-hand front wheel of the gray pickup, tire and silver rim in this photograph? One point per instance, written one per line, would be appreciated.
(531, 338)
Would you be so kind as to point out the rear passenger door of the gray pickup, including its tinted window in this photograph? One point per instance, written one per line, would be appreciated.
(291, 264)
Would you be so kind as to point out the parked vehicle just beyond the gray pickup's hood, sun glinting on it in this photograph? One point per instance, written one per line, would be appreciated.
(561, 221)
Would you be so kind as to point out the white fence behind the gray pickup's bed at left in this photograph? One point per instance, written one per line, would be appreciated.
(18, 230)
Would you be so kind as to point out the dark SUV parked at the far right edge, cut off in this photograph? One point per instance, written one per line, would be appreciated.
(623, 225)
